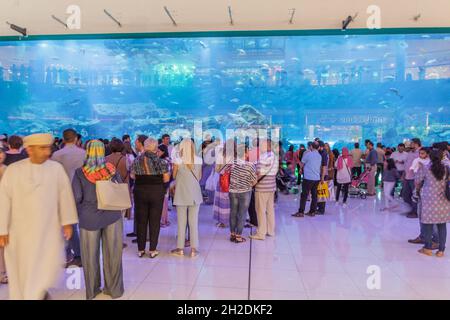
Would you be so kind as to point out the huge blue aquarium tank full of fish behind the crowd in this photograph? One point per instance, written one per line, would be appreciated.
(340, 88)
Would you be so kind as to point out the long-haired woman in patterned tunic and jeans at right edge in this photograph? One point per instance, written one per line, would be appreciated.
(434, 208)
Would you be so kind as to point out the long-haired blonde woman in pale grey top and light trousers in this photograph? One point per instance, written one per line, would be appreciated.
(187, 173)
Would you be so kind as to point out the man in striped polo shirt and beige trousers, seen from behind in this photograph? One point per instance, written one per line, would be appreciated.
(267, 168)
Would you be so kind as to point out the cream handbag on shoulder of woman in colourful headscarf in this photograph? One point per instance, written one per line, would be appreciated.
(112, 196)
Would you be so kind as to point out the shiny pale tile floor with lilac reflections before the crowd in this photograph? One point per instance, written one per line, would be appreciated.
(325, 257)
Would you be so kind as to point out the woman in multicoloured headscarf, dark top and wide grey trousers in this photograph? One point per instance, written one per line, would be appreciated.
(98, 228)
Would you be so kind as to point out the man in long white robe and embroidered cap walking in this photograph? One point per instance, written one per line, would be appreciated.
(37, 210)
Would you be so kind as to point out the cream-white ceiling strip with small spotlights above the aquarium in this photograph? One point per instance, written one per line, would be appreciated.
(212, 15)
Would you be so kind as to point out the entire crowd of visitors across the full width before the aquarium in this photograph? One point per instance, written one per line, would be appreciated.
(239, 179)
